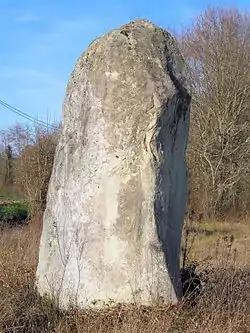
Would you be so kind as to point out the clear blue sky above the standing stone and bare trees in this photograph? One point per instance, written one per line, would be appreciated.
(41, 40)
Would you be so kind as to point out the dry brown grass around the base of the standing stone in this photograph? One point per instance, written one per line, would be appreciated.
(223, 307)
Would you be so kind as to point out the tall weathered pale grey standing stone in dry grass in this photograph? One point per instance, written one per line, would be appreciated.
(116, 200)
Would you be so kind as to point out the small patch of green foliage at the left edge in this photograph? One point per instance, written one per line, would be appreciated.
(13, 213)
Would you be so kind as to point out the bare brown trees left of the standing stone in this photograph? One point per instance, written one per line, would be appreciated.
(29, 162)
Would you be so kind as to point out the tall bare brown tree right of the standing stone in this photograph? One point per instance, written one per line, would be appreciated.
(217, 49)
